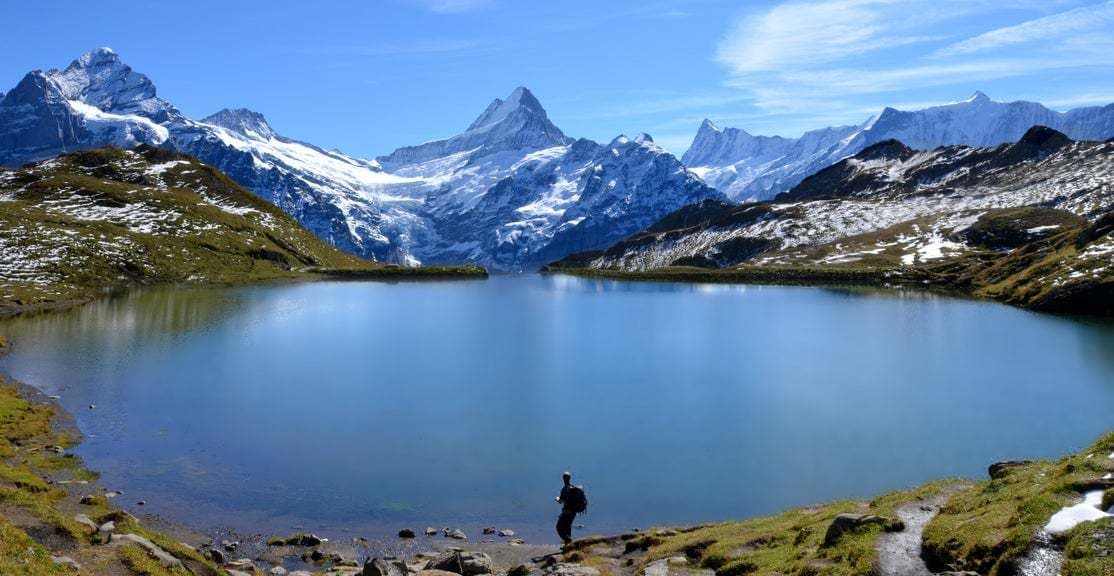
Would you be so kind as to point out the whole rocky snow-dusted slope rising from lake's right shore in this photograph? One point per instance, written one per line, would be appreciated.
(1029, 223)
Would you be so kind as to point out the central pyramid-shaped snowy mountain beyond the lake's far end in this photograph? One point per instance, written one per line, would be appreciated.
(513, 191)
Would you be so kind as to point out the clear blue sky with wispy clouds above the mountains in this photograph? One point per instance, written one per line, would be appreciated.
(372, 76)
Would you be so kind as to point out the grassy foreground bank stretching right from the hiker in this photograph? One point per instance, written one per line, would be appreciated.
(985, 528)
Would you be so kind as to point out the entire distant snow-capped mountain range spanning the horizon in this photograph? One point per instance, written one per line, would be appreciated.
(512, 192)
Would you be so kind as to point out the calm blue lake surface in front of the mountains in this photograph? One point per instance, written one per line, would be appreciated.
(363, 408)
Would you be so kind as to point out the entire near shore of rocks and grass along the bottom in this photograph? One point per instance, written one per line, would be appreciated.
(994, 528)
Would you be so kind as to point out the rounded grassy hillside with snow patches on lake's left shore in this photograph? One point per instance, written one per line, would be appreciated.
(82, 224)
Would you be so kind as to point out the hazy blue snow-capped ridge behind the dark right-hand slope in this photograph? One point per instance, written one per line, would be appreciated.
(760, 168)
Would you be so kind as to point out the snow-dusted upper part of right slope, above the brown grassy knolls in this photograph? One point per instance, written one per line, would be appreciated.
(931, 196)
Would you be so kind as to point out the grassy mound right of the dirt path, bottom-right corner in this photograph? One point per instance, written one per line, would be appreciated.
(988, 529)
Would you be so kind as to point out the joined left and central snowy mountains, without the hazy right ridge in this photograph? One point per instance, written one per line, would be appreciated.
(511, 192)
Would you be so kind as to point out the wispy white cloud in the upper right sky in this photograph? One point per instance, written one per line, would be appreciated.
(816, 58)
